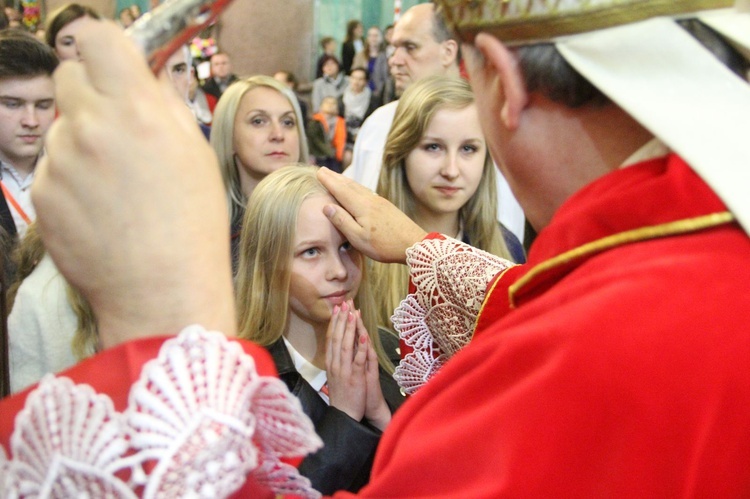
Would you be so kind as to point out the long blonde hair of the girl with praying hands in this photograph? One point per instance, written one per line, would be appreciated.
(266, 252)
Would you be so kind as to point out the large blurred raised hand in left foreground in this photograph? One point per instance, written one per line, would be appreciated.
(129, 196)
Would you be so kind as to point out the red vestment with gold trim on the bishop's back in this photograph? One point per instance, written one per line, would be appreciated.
(613, 364)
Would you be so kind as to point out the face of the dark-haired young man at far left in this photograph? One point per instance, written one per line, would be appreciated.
(27, 109)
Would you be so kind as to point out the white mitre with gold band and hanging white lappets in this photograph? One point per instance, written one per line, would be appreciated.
(634, 52)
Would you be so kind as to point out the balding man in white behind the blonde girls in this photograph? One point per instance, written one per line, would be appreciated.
(424, 47)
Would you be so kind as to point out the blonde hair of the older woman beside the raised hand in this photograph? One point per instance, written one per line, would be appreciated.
(222, 135)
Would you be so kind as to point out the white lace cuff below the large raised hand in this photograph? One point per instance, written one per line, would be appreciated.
(199, 421)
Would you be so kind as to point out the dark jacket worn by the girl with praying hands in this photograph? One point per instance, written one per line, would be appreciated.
(345, 461)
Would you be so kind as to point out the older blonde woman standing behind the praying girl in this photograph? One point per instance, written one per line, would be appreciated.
(257, 129)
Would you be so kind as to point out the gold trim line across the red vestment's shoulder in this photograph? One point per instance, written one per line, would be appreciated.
(641, 234)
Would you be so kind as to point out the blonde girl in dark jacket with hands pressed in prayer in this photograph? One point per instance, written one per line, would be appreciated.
(302, 293)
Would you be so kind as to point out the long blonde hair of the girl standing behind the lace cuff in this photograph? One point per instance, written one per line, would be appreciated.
(478, 216)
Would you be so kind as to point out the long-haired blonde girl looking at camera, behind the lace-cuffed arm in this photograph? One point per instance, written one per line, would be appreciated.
(438, 171)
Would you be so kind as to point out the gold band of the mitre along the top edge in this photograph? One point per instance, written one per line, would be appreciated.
(469, 17)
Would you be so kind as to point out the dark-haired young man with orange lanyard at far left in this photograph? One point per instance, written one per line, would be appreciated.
(27, 109)
